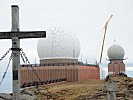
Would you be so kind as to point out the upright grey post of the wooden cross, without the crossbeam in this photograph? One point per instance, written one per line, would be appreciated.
(15, 53)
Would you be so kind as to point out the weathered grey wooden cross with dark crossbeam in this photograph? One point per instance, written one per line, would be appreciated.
(16, 35)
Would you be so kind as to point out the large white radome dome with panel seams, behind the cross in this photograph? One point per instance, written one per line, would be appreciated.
(58, 44)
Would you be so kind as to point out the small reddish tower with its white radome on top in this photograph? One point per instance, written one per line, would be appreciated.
(116, 54)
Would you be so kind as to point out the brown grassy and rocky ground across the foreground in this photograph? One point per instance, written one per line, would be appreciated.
(83, 90)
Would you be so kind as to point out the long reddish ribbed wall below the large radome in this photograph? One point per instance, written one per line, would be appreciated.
(68, 72)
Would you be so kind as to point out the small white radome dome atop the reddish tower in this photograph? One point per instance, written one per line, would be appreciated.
(115, 52)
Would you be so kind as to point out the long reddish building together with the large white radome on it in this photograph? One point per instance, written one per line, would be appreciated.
(58, 54)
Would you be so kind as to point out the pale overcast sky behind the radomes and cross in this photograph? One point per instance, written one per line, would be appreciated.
(85, 18)
